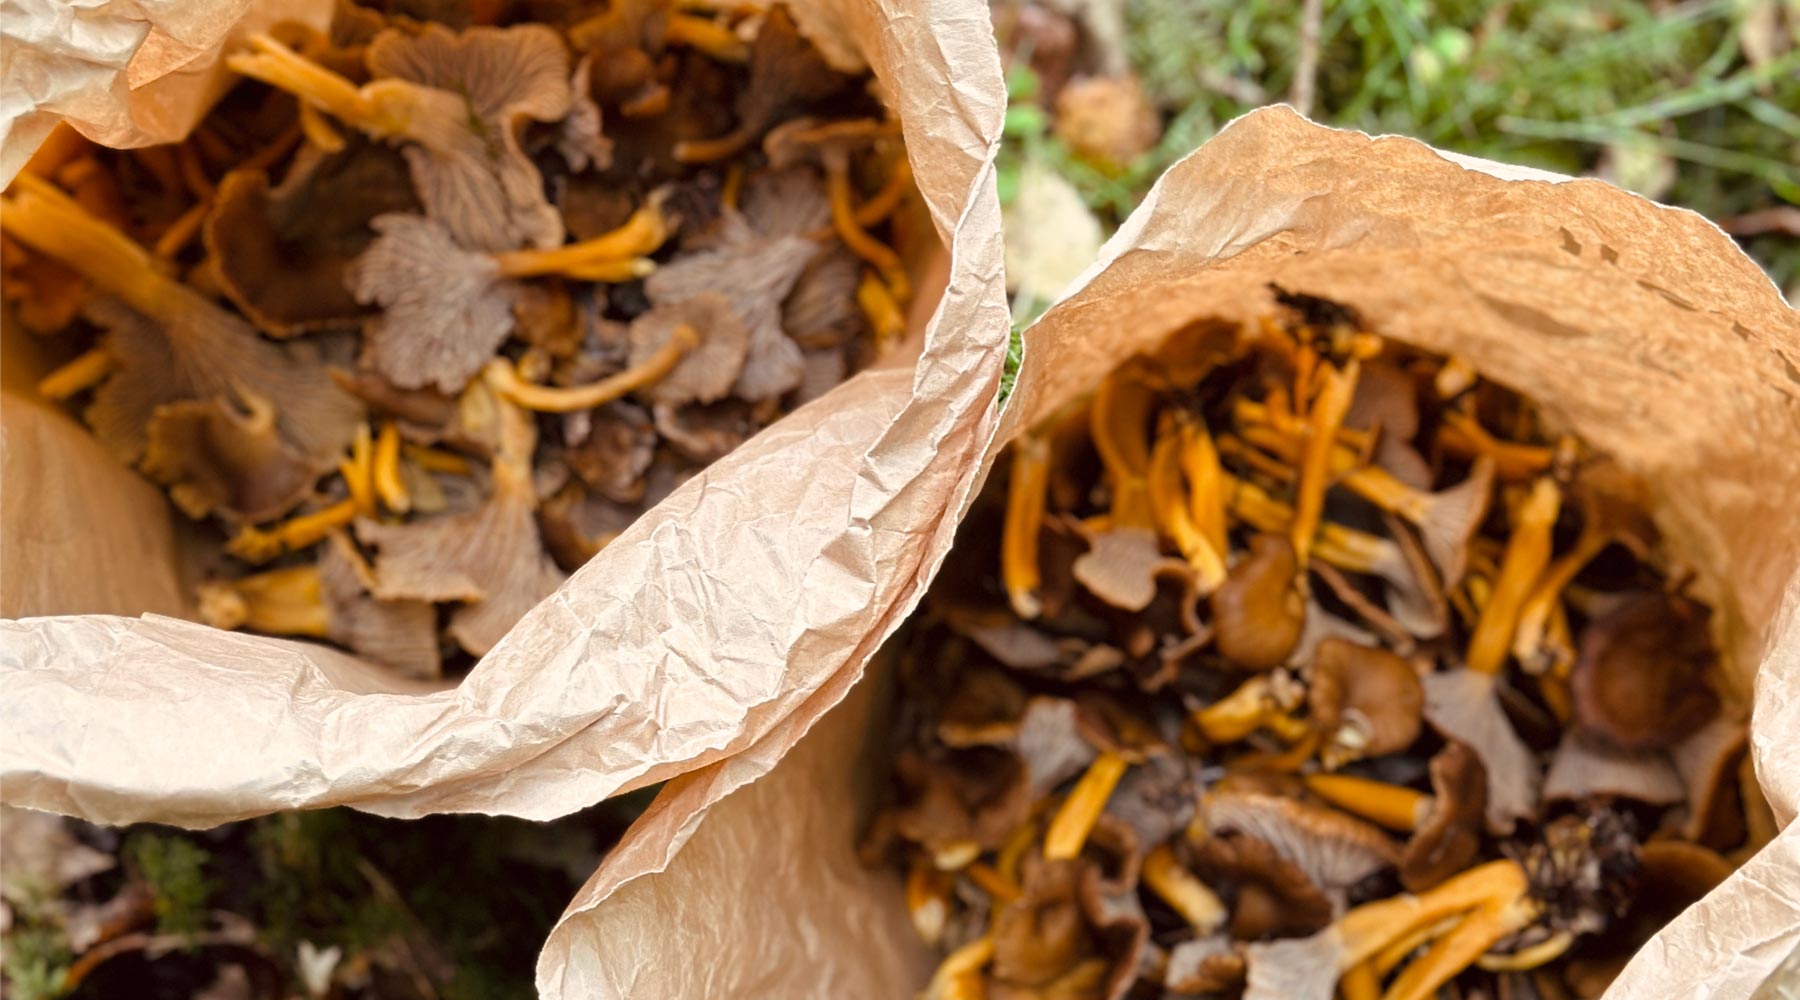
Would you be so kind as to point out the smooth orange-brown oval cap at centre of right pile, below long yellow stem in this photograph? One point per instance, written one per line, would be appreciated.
(1257, 611)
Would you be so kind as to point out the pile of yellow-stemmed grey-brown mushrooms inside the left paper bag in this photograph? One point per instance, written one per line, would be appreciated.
(427, 312)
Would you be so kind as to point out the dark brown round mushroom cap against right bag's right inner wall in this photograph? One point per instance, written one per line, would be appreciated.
(1642, 677)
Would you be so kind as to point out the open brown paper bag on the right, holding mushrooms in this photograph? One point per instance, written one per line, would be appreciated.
(1637, 326)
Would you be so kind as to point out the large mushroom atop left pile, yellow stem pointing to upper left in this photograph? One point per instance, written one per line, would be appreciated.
(458, 102)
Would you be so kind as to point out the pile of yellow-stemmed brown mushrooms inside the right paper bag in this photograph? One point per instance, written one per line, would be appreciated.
(1308, 666)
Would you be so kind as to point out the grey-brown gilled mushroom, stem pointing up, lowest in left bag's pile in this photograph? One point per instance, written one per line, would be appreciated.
(492, 558)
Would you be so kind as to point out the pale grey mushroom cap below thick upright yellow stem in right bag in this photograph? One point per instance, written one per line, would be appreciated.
(1462, 706)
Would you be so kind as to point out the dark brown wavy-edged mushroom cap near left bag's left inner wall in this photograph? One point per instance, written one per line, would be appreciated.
(215, 458)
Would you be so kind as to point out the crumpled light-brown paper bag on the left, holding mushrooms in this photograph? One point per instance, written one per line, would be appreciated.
(690, 638)
